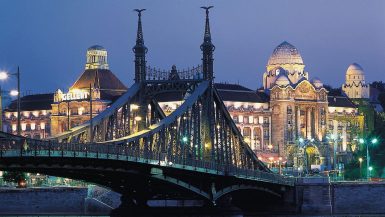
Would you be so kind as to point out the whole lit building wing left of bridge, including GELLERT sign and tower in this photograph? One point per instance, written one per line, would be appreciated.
(44, 115)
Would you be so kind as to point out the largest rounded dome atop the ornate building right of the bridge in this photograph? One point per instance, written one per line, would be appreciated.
(285, 53)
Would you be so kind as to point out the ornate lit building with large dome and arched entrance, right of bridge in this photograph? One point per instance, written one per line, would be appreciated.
(303, 116)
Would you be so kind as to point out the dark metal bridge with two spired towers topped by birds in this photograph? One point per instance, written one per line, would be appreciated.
(135, 149)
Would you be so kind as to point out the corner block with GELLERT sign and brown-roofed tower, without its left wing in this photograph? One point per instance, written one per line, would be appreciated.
(97, 84)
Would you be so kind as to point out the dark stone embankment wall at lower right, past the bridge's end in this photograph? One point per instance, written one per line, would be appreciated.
(341, 198)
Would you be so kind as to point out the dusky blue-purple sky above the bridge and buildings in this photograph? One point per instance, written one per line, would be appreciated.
(48, 39)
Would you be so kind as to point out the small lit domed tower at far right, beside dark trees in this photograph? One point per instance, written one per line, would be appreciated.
(355, 86)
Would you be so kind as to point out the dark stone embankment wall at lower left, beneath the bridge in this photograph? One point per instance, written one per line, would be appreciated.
(58, 200)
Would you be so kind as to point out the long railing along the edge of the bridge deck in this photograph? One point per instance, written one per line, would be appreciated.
(36, 148)
